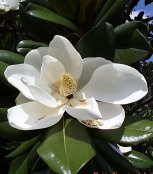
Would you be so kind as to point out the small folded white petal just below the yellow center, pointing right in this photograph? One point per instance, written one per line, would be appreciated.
(86, 110)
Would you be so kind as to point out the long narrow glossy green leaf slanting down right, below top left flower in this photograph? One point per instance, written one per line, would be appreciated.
(50, 16)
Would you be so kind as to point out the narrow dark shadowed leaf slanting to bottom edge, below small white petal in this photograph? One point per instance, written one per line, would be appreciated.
(116, 160)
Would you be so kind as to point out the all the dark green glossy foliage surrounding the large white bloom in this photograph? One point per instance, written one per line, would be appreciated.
(69, 147)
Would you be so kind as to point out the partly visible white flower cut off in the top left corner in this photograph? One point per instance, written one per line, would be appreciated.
(6, 5)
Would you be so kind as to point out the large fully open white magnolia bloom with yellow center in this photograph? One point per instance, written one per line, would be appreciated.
(56, 79)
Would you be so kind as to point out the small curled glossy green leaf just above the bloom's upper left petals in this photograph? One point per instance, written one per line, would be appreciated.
(25, 46)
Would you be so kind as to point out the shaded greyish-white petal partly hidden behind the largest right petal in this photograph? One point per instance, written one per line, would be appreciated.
(90, 64)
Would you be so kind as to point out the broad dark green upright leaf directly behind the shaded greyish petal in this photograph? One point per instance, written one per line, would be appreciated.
(98, 42)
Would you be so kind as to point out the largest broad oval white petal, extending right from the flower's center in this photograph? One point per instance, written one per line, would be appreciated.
(115, 83)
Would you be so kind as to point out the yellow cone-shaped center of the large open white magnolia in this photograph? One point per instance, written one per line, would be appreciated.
(68, 85)
